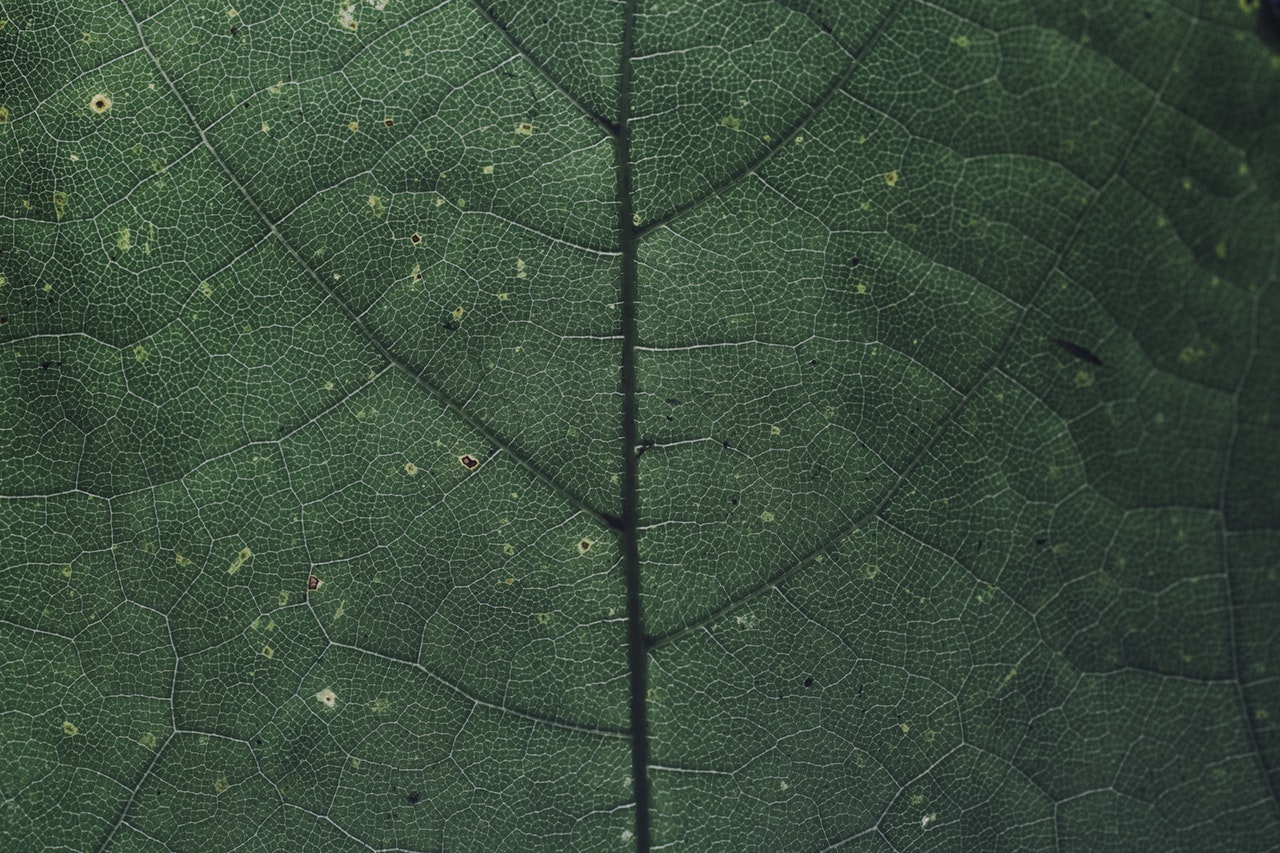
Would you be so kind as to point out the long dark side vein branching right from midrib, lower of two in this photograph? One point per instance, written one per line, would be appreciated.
(944, 426)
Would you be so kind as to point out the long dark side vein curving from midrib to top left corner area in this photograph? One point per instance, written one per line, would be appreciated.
(354, 317)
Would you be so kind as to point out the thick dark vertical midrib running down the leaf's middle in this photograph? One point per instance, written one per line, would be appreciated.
(637, 655)
